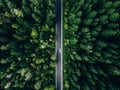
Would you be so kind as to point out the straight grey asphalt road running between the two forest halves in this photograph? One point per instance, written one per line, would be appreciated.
(59, 43)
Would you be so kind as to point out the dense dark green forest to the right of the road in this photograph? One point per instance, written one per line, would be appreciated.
(92, 44)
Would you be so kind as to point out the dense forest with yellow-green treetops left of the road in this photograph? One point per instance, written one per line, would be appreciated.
(27, 44)
